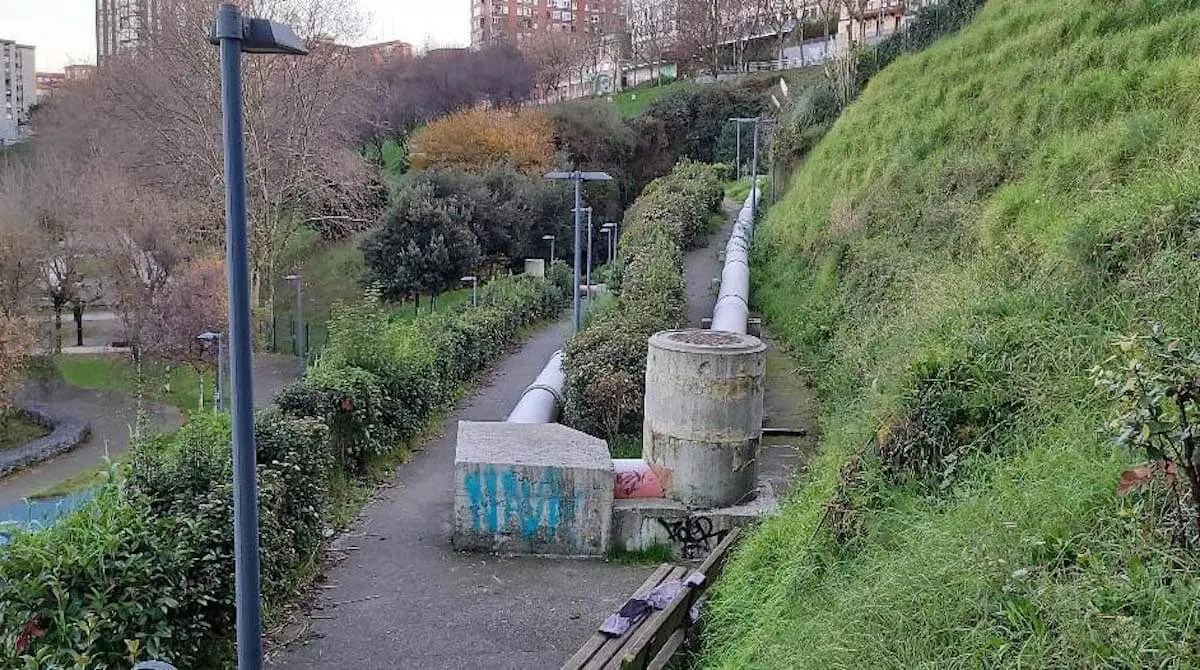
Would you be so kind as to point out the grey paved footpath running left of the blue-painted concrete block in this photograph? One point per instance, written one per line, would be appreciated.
(404, 599)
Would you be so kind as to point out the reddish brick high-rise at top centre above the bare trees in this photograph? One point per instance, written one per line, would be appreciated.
(515, 21)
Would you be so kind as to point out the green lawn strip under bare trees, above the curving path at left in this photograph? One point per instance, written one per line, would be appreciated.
(159, 382)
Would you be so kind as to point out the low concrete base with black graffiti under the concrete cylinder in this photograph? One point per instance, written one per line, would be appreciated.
(641, 524)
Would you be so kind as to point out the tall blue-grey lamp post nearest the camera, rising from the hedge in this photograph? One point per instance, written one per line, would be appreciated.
(235, 35)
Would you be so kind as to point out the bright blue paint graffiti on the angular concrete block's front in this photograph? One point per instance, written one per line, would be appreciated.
(502, 499)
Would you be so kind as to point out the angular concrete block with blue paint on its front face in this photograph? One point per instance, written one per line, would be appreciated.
(538, 489)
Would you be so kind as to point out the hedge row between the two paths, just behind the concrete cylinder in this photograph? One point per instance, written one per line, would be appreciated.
(605, 364)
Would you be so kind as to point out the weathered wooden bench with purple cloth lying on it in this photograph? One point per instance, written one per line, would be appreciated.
(650, 644)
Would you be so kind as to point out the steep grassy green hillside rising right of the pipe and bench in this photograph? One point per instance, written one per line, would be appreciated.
(952, 262)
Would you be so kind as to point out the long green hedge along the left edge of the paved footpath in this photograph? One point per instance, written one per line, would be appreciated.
(146, 570)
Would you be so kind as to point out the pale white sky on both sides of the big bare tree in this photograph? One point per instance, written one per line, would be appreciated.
(64, 32)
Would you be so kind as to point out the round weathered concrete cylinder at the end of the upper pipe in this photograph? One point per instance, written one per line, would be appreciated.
(704, 415)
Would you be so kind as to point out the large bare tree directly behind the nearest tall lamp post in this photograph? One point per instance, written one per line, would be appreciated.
(157, 118)
